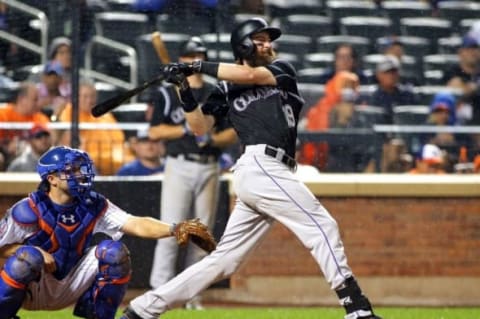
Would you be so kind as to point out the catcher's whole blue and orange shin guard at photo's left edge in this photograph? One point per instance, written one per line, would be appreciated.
(19, 270)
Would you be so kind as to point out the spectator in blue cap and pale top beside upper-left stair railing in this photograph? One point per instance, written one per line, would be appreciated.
(51, 96)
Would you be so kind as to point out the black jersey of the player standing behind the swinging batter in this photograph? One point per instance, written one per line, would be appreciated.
(168, 110)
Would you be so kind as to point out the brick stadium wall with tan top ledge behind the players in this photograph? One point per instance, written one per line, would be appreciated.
(410, 240)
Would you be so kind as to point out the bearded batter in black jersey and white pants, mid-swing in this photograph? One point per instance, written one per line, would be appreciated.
(263, 105)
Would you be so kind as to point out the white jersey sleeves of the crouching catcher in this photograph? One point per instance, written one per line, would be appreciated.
(110, 224)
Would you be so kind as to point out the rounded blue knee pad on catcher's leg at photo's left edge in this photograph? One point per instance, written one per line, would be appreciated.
(23, 267)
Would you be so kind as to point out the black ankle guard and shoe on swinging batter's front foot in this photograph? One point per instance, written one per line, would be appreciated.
(354, 301)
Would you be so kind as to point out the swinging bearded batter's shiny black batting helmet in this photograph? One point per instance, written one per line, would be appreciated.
(240, 40)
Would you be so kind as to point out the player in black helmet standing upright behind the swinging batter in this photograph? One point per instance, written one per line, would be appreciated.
(191, 179)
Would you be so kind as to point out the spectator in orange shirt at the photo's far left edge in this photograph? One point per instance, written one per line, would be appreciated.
(24, 109)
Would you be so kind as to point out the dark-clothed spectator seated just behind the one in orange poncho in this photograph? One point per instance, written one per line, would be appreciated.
(346, 59)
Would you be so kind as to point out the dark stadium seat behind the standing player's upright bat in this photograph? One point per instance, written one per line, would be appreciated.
(148, 61)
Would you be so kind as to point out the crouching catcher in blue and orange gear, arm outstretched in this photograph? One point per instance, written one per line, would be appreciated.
(45, 240)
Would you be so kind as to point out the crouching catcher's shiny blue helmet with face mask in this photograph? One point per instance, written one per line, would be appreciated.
(75, 164)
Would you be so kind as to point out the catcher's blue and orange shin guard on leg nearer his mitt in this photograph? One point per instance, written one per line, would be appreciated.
(103, 298)
